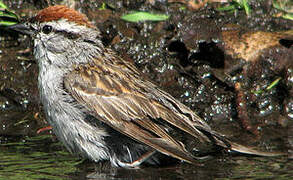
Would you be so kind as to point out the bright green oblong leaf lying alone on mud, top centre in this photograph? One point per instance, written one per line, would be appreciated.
(144, 16)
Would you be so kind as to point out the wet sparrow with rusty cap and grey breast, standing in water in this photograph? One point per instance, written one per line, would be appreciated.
(100, 105)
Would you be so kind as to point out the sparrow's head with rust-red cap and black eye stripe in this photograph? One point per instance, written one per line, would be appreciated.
(62, 36)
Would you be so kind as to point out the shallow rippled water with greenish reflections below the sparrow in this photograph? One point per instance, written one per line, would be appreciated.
(41, 158)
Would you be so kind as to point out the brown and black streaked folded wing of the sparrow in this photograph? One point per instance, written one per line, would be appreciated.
(120, 98)
